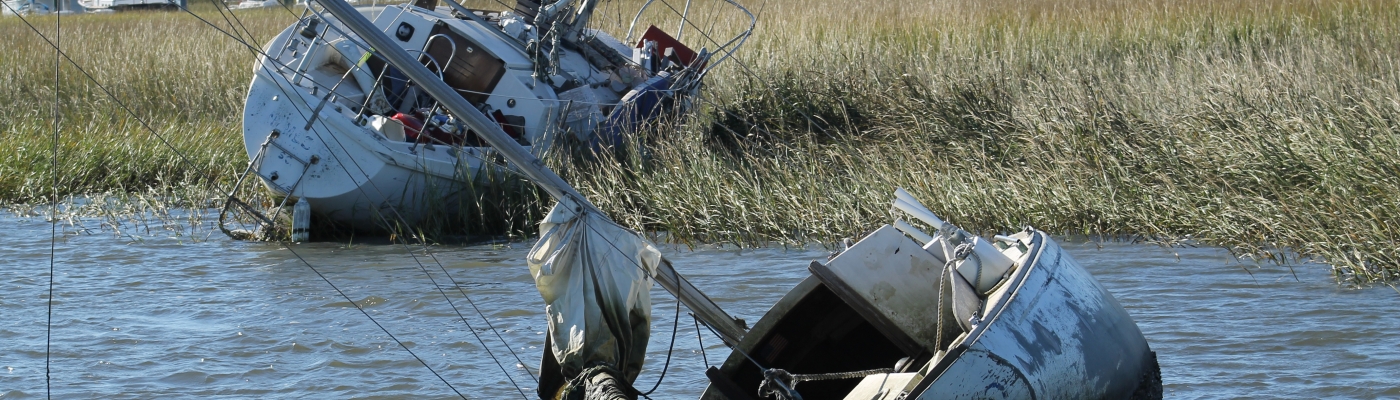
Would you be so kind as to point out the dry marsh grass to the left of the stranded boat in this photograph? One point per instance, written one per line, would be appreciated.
(167, 68)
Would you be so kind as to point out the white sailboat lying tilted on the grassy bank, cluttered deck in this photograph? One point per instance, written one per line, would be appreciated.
(331, 122)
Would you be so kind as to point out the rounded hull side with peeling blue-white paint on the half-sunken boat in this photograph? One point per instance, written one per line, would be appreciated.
(1059, 335)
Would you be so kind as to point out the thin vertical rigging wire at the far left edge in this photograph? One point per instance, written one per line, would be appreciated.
(54, 210)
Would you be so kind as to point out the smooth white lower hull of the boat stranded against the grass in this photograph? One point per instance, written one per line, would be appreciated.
(348, 173)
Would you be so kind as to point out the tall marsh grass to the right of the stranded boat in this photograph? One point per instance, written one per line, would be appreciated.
(1269, 128)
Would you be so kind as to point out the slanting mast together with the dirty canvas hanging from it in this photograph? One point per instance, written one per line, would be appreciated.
(594, 275)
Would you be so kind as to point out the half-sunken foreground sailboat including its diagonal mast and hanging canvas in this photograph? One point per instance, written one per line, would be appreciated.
(899, 315)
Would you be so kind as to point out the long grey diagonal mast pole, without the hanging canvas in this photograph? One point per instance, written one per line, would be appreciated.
(709, 313)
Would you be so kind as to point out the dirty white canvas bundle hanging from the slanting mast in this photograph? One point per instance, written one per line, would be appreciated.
(596, 279)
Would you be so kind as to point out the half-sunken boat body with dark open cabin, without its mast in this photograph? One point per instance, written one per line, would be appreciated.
(890, 318)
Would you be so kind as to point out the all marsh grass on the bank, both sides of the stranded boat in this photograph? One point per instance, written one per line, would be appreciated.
(1269, 128)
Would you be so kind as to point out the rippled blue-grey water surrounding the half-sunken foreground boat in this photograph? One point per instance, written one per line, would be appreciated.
(148, 314)
